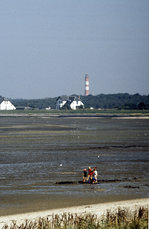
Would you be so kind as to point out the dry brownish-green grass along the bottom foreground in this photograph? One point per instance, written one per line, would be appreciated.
(121, 219)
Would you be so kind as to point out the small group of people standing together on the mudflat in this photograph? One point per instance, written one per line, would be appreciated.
(90, 176)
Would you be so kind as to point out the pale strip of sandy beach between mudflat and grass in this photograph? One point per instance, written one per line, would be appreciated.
(97, 209)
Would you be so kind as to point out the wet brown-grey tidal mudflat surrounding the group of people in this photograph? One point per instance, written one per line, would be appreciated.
(42, 158)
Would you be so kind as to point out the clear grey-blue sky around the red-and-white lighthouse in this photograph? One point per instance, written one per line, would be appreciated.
(47, 47)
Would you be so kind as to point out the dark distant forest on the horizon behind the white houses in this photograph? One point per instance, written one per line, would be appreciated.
(103, 101)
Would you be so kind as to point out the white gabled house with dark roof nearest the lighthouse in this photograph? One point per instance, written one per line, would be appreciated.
(73, 102)
